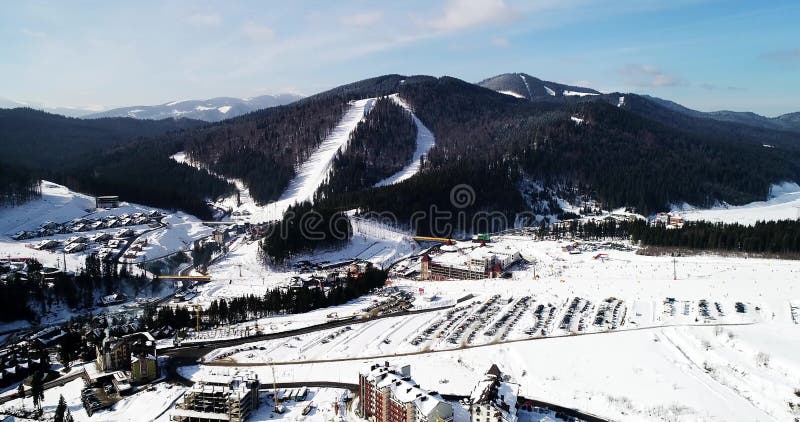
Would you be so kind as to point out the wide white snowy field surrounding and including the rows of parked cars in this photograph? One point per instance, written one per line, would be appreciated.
(668, 360)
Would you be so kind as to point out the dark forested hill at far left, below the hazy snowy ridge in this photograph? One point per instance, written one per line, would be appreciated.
(114, 156)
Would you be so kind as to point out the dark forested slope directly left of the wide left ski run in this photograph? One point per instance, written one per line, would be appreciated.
(263, 148)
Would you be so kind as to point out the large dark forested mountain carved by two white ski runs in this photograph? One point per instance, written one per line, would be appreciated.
(640, 154)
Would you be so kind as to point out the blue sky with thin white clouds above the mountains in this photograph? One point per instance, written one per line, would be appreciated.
(705, 54)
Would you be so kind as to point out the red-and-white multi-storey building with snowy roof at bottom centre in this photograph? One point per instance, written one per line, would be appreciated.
(388, 394)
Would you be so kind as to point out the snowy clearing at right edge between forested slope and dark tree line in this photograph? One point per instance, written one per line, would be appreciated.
(783, 204)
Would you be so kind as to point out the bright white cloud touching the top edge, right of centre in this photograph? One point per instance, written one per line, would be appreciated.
(463, 14)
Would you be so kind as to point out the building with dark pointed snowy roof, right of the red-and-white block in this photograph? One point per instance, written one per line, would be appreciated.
(493, 399)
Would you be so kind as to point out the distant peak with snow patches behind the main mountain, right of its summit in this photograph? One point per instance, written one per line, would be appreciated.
(522, 85)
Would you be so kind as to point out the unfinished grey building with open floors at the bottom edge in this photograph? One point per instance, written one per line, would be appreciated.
(219, 398)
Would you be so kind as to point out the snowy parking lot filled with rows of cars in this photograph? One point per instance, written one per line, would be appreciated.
(483, 320)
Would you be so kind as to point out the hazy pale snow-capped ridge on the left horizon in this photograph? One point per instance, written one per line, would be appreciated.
(211, 110)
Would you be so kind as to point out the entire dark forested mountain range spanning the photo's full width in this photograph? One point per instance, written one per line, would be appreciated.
(504, 133)
